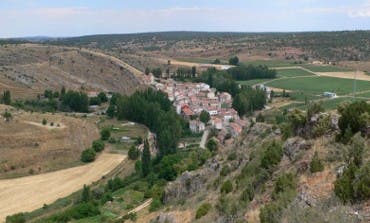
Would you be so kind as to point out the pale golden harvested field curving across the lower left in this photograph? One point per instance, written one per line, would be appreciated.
(29, 193)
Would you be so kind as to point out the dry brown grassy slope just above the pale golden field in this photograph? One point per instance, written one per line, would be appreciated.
(28, 147)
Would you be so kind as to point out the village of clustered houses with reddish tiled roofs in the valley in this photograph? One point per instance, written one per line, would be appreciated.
(190, 99)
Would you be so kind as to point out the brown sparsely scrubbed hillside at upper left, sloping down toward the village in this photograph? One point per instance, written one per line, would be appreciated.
(29, 69)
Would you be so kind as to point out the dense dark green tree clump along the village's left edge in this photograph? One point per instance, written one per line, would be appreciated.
(153, 109)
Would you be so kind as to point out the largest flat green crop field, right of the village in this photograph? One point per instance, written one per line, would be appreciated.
(318, 85)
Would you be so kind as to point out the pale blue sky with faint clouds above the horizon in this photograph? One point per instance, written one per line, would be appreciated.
(62, 18)
